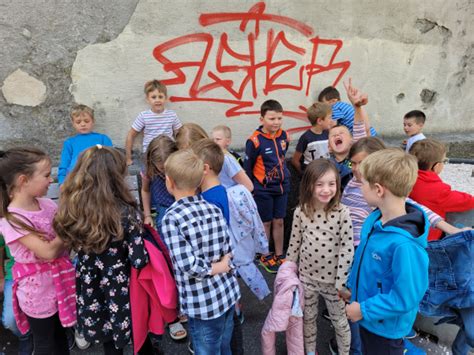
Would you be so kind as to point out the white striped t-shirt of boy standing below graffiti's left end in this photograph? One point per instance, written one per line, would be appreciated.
(155, 124)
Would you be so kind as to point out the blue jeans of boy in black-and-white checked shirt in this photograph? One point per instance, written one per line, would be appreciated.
(213, 336)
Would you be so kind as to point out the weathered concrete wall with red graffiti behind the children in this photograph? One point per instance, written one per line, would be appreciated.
(405, 54)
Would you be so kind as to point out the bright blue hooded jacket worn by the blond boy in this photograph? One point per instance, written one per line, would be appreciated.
(390, 272)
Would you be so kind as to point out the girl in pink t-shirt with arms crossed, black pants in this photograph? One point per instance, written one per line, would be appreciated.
(43, 289)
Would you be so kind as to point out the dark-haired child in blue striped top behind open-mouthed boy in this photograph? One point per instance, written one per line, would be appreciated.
(342, 112)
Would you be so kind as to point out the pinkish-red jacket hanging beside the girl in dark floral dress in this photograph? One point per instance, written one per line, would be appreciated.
(153, 293)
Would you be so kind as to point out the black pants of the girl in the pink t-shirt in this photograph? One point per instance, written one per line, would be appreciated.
(49, 336)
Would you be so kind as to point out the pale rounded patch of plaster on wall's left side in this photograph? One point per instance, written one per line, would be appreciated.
(20, 88)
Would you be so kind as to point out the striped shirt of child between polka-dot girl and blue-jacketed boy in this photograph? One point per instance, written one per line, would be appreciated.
(359, 209)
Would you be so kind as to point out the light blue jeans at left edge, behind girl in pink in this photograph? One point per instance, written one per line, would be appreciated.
(25, 346)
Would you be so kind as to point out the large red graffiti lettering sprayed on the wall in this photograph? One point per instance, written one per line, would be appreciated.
(283, 66)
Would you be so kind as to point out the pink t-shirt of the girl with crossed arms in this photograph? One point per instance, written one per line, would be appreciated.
(36, 293)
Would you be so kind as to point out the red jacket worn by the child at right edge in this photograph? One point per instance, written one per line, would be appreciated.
(432, 192)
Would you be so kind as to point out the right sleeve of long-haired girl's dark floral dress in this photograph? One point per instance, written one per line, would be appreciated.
(134, 232)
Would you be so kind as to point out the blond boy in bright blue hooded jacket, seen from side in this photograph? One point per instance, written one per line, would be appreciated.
(390, 272)
